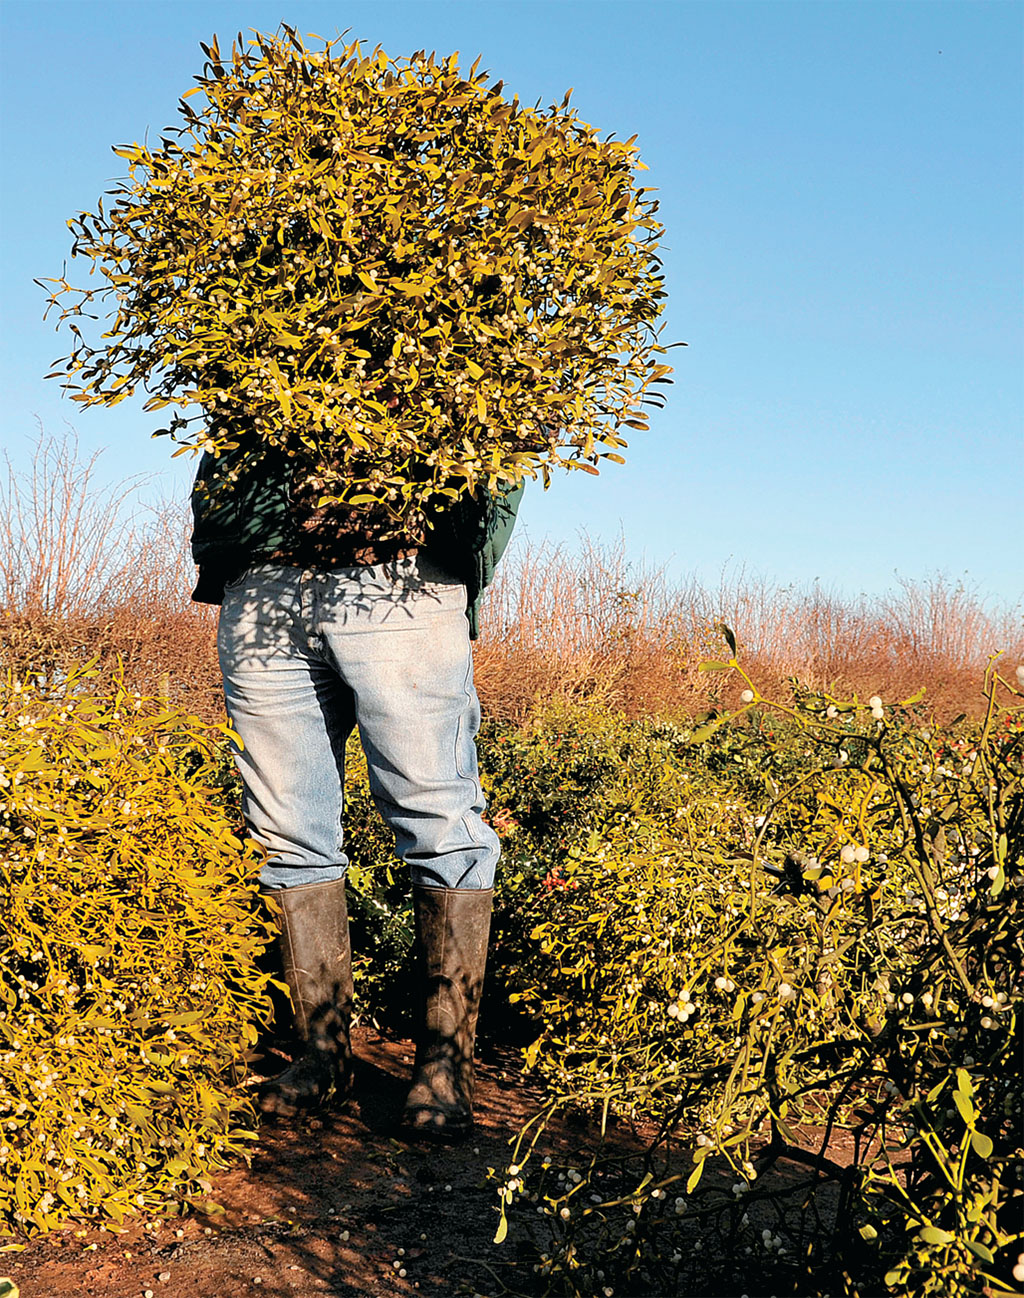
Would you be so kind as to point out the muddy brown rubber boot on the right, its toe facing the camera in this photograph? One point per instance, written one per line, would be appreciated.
(452, 930)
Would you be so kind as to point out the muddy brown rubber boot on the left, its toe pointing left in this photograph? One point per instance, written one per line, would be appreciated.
(317, 961)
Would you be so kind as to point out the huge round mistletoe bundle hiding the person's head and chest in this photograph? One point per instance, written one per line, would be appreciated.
(384, 267)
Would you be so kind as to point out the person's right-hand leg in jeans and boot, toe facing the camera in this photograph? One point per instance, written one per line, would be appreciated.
(400, 641)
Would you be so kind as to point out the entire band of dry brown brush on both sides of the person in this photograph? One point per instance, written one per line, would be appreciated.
(93, 572)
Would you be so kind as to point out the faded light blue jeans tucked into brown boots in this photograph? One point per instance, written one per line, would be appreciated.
(308, 655)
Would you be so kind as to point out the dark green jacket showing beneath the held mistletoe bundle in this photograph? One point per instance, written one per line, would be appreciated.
(241, 511)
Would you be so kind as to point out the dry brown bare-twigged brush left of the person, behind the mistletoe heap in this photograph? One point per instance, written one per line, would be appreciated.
(91, 572)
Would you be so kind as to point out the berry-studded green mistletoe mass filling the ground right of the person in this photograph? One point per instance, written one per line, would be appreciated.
(792, 920)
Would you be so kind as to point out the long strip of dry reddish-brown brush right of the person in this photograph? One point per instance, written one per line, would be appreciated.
(595, 625)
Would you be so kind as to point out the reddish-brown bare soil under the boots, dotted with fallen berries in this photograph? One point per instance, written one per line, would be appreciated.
(335, 1205)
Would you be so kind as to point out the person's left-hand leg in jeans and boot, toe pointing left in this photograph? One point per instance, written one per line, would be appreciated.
(294, 716)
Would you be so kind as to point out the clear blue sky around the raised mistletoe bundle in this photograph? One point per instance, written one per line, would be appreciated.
(842, 188)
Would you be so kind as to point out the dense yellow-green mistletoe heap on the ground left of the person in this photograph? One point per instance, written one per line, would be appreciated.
(129, 992)
